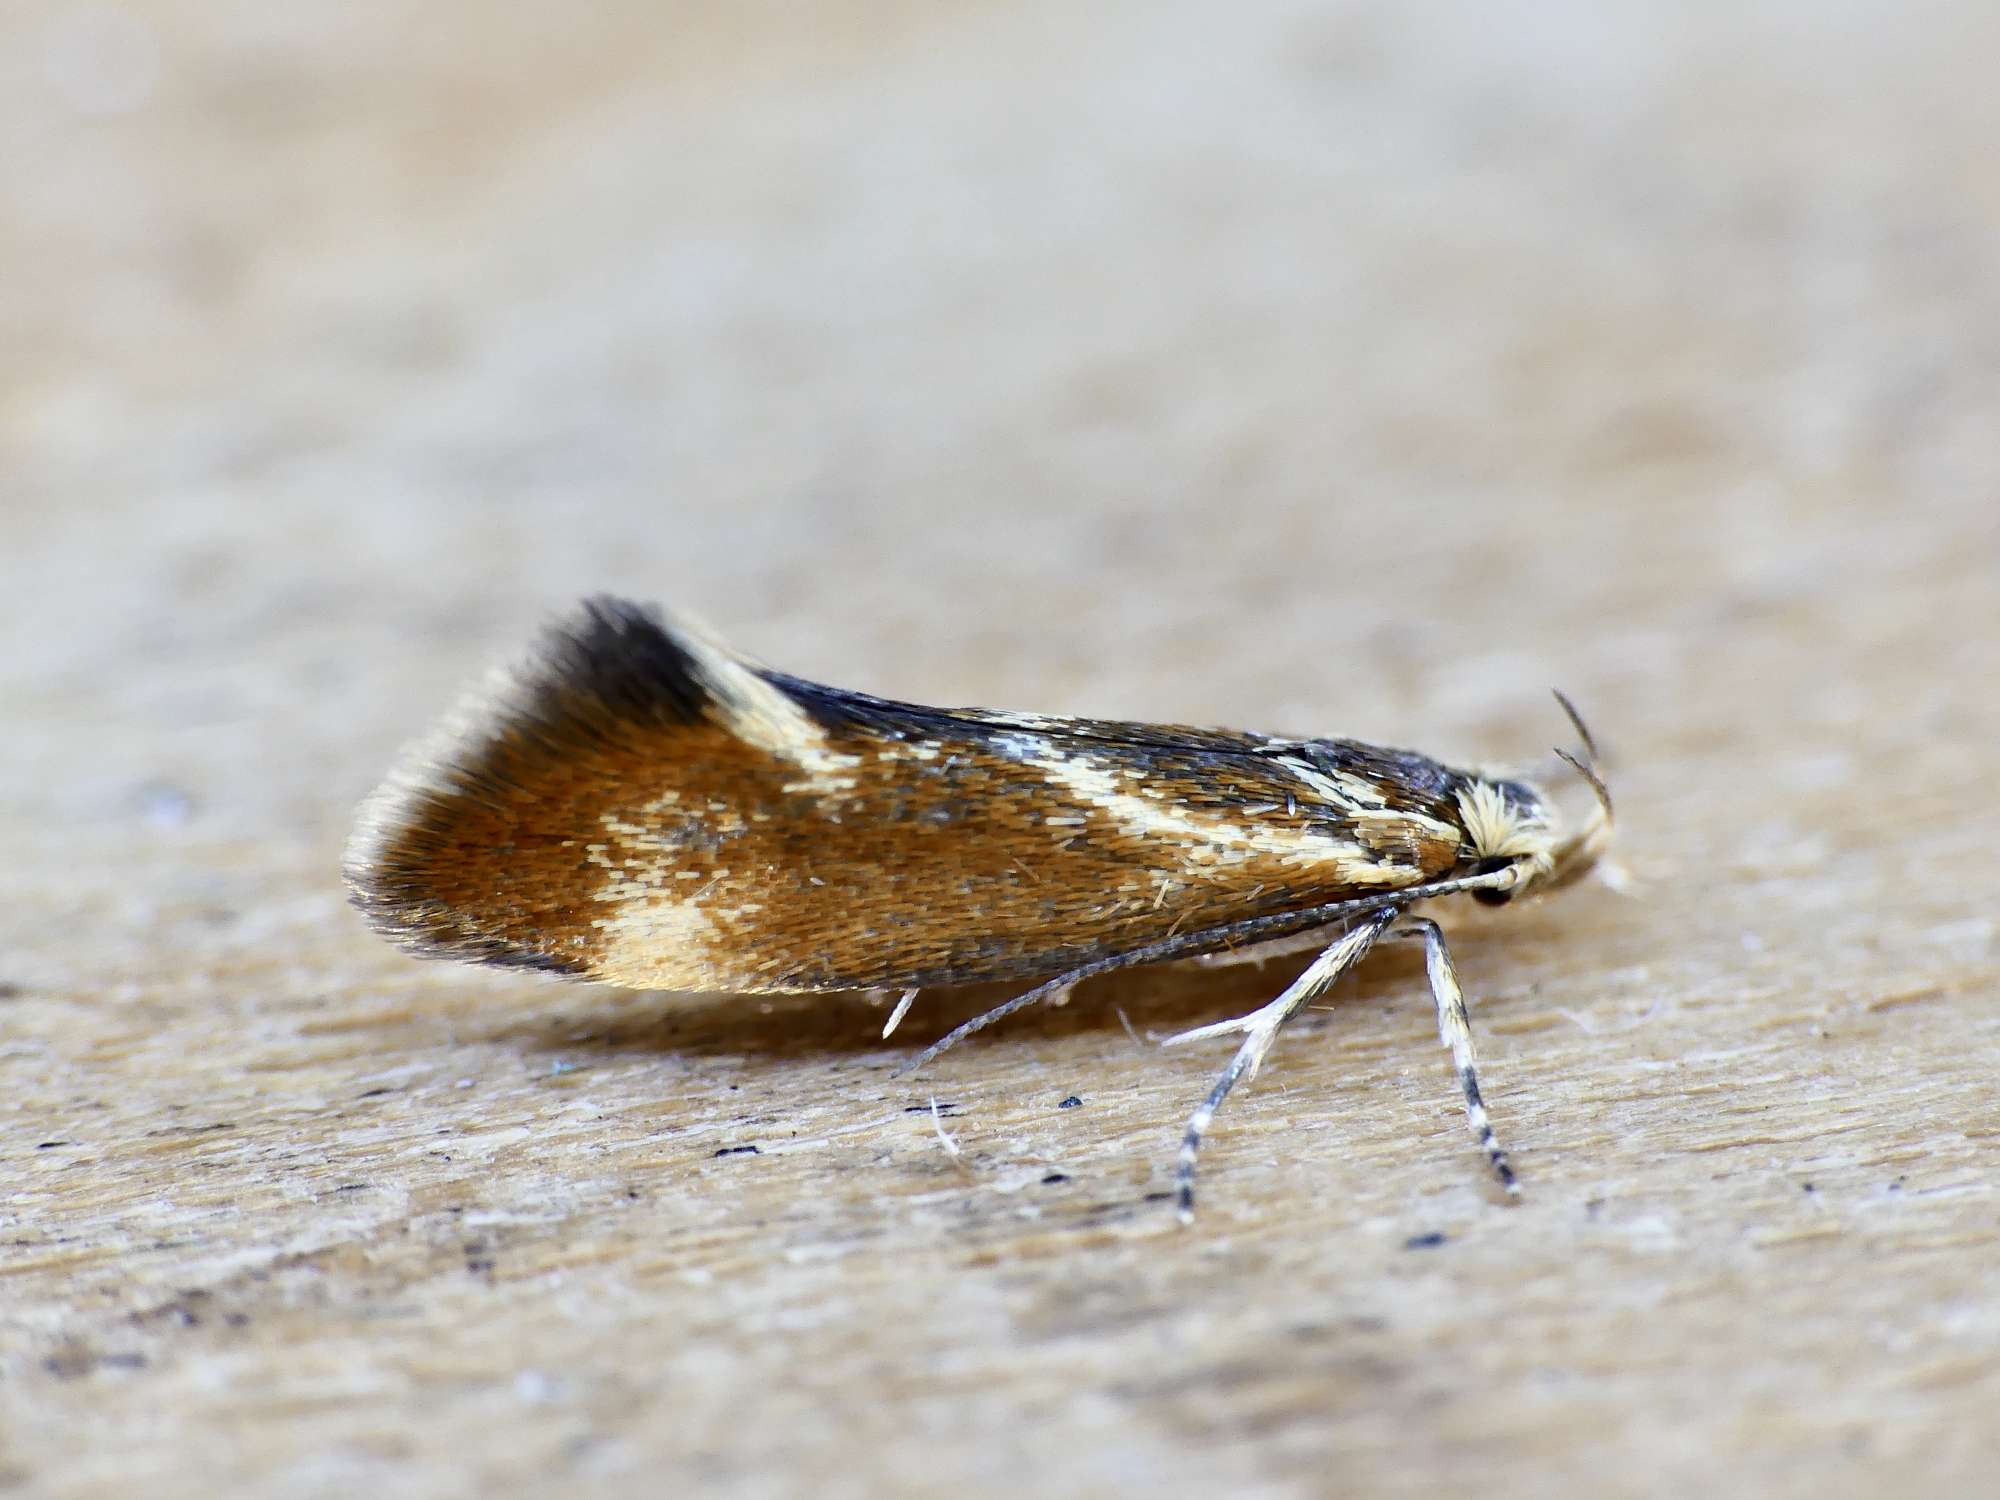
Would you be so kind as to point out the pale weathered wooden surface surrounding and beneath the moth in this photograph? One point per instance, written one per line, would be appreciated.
(1323, 371)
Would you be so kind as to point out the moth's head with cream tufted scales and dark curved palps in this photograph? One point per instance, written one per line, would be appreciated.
(1515, 831)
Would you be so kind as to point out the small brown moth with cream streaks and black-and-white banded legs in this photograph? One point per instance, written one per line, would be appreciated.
(643, 807)
